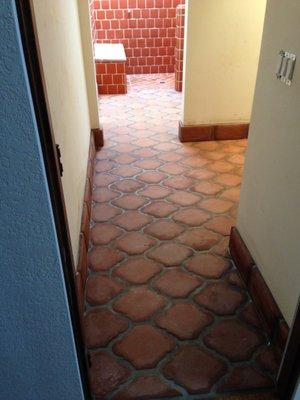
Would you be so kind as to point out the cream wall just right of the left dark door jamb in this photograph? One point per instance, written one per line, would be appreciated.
(59, 36)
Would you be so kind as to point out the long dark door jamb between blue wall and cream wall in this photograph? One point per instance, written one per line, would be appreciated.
(37, 87)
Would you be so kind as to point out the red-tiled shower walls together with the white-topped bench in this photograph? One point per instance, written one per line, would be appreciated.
(137, 37)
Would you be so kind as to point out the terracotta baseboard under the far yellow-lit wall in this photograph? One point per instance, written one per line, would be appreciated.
(198, 133)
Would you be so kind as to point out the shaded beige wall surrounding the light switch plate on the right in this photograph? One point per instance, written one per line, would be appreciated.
(269, 212)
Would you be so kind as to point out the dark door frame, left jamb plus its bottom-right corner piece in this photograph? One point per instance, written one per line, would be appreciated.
(290, 365)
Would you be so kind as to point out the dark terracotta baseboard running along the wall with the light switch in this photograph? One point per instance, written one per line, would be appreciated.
(259, 290)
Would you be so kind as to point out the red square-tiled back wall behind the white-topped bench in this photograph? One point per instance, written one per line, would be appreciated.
(147, 32)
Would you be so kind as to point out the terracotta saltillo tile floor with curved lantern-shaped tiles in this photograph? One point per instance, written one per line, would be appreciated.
(167, 315)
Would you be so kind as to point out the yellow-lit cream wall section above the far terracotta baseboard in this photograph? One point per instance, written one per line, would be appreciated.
(223, 39)
